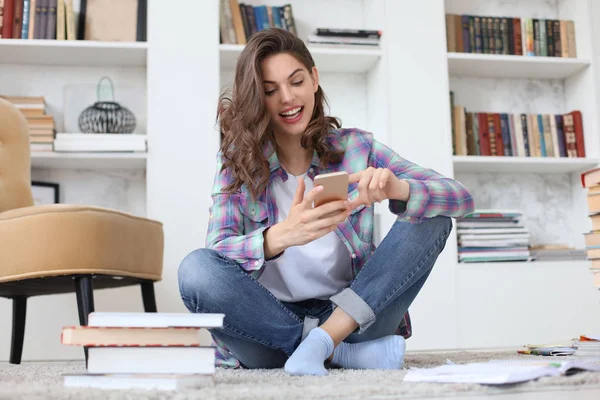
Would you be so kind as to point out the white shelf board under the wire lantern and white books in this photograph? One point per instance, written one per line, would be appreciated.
(88, 160)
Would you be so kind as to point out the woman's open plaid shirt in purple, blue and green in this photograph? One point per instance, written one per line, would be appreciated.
(237, 223)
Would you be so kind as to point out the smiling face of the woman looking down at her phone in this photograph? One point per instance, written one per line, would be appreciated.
(289, 93)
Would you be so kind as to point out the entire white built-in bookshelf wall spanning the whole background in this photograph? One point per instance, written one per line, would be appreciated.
(398, 92)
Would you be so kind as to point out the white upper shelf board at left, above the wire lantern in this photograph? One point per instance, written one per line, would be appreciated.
(73, 53)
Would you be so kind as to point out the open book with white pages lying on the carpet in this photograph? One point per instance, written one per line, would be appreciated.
(499, 372)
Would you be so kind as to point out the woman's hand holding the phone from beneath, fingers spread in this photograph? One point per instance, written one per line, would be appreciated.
(305, 223)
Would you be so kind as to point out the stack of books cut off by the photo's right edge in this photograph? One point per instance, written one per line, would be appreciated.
(590, 180)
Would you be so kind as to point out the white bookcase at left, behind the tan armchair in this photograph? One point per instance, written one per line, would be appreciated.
(111, 180)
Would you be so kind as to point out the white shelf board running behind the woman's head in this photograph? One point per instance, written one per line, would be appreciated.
(327, 59)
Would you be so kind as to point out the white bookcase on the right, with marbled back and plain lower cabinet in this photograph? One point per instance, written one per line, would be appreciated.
(513, 303)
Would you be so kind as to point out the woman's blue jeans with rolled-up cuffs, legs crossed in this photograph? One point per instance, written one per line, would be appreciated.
(262, 332)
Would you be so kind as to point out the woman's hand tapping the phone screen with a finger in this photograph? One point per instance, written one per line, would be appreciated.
(376, 185)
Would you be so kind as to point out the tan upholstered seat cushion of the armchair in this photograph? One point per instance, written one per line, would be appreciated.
(61, 239)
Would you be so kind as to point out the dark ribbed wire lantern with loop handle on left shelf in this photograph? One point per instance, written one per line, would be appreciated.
(106, 116)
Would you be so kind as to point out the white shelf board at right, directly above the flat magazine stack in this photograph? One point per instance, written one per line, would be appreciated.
(544, 165)
